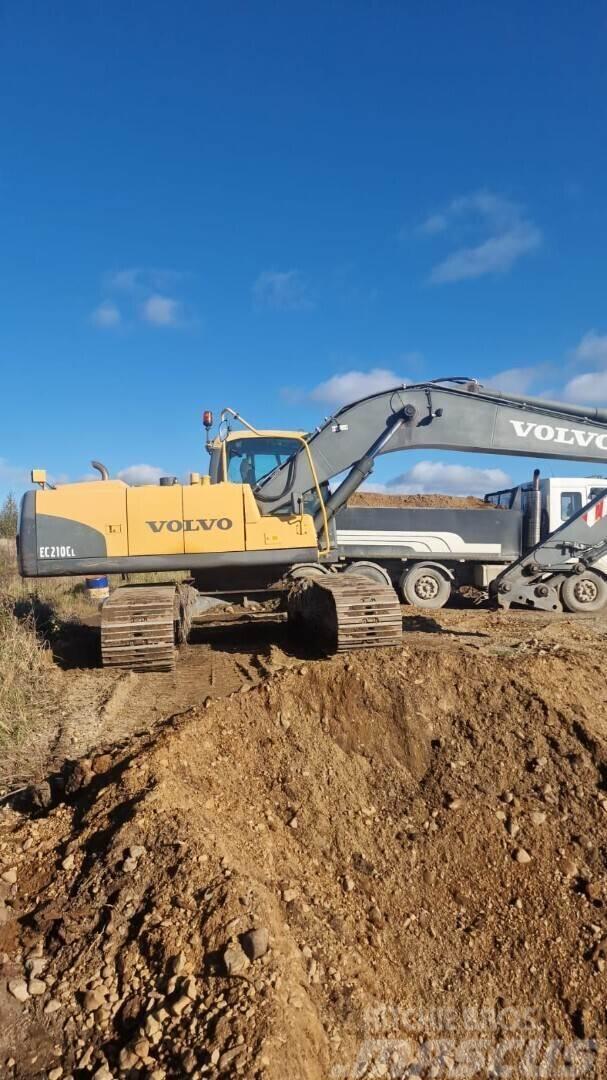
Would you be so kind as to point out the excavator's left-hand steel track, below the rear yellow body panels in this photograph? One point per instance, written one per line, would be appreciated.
(140, 628)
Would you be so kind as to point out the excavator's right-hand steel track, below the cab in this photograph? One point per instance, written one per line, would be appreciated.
(346, 613)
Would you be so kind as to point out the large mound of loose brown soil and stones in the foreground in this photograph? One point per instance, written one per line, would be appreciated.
(390, 865)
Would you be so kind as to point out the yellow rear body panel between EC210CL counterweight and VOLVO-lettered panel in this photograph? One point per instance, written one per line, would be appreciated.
(101, 505)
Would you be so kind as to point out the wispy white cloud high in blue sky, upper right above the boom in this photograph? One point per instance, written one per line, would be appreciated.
(511, 235)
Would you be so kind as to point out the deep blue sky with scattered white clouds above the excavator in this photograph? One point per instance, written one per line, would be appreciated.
(276, 207)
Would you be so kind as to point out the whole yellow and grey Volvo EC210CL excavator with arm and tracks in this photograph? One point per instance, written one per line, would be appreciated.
(265, 517)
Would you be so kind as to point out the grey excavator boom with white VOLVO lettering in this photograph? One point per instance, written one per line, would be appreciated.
(448, 414)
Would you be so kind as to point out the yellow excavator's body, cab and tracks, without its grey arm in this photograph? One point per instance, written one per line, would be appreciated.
(215, 532)
